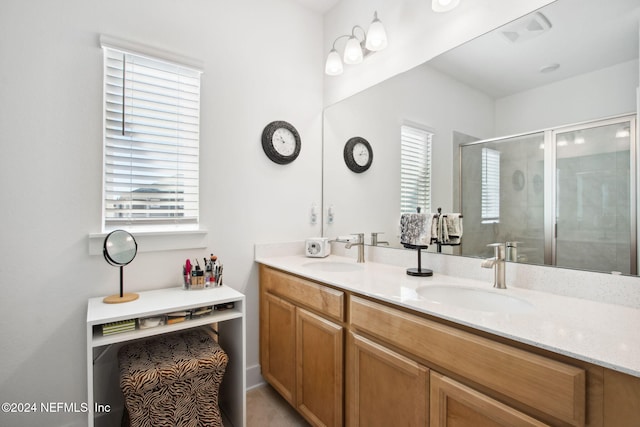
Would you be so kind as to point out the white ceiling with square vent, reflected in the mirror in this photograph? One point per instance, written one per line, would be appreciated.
(585, 35)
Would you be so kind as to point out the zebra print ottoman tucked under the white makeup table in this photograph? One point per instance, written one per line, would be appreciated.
(172, 380)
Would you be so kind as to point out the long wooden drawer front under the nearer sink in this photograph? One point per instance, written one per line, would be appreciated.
(547, 385)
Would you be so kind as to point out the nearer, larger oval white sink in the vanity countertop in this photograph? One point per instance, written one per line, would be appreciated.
(474, 299)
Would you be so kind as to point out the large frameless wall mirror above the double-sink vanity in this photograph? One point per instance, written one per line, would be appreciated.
(563, 73)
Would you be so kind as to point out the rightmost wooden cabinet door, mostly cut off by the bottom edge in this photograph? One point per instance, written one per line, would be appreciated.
(456, 405)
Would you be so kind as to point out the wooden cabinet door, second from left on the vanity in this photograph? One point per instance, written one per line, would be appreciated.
(319, 368)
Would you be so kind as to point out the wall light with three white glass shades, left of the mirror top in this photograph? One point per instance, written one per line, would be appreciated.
(356, 49)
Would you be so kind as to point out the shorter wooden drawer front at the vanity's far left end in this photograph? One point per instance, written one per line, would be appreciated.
(325, 300)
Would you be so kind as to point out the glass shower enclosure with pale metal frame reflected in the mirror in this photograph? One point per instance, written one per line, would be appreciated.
(566, 196)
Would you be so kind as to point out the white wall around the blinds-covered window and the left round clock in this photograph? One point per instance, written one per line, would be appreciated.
(255, 71)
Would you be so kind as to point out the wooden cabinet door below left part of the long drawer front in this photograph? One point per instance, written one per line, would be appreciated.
(384, 388)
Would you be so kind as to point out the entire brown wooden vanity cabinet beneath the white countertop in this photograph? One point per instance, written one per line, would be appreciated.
(407, 368)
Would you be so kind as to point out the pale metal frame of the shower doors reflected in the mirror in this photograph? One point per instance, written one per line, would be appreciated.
(550, 181)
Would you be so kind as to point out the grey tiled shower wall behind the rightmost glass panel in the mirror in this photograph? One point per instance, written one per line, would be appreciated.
(593, 202)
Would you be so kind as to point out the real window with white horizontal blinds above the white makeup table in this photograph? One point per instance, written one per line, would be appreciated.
(151, 141)
